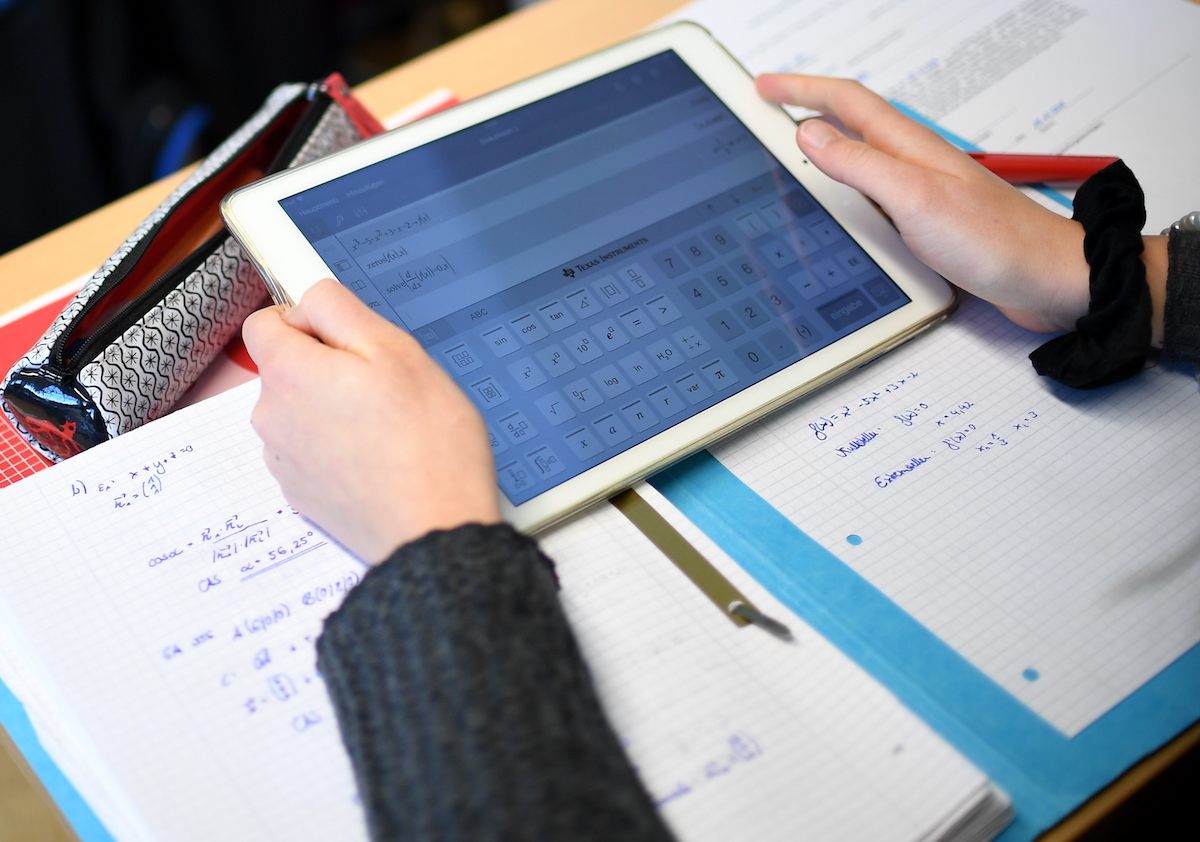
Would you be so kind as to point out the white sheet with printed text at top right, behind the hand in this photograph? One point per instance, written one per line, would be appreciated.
(1084, 77)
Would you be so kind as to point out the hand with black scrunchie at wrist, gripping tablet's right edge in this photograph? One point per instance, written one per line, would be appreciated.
(961, 220)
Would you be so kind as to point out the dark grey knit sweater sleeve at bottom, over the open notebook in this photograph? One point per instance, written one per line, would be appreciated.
(466, 706)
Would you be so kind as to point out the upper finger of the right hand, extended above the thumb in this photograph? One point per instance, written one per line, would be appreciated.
(866, 113)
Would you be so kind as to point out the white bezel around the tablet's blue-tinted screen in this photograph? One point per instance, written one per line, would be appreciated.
(290, 264)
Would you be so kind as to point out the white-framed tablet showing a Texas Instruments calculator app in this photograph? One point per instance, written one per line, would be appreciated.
(620, 261)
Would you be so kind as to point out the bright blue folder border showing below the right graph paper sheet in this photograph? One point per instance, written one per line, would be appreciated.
(1047, 774)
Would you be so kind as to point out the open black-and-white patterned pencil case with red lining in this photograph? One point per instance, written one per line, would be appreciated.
(148, 323)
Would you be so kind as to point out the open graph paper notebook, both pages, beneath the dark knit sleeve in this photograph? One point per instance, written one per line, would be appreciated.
(160, 604)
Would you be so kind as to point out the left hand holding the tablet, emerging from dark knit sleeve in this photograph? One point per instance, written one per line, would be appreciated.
(365, 434)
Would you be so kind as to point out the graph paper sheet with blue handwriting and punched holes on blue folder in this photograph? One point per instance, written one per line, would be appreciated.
(1048, 536)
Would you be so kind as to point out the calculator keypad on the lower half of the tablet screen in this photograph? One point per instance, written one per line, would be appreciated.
(617, 353)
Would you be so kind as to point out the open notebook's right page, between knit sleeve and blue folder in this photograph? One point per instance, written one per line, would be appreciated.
(739, 735)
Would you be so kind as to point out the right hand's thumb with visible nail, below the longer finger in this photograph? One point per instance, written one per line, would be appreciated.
(895, 184)
